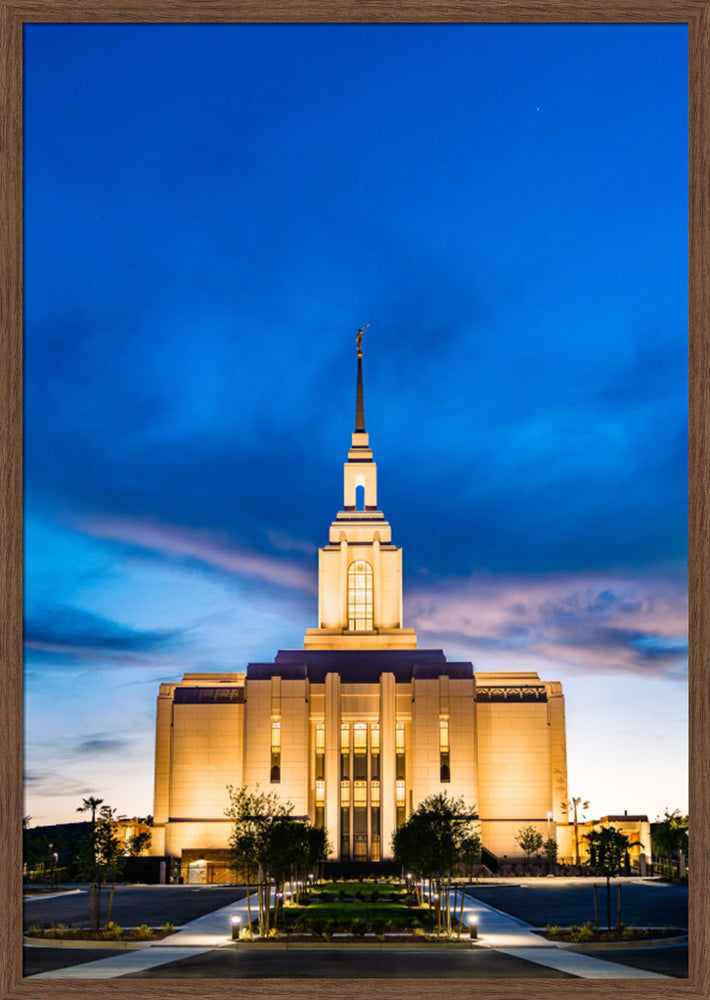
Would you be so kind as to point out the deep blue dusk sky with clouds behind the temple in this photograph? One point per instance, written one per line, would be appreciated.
(211, 213)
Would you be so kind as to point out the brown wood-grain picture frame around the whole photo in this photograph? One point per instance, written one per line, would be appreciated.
(14, 14)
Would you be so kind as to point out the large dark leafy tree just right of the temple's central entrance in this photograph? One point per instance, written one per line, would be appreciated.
(439, 835)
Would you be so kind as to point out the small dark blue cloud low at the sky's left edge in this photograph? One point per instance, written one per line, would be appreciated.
(75, 633)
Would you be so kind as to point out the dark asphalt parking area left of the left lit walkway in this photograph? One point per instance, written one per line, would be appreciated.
(134, 904)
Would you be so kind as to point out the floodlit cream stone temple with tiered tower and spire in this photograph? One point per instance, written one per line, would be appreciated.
(360, 725)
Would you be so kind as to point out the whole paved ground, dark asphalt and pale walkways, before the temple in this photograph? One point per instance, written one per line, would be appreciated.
(507, 945)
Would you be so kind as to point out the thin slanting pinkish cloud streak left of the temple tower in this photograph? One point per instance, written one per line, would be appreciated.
(202, 547)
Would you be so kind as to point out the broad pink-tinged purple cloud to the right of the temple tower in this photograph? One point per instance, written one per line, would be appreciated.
(584, 624)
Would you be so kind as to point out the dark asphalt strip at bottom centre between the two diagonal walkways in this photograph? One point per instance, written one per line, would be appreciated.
(344, 964)
